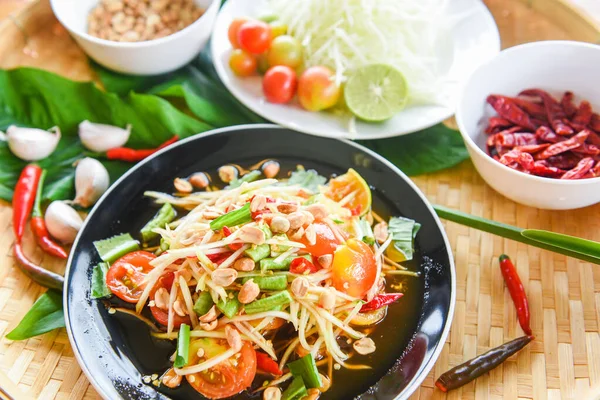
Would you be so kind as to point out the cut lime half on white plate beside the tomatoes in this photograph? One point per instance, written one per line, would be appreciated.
(376, 92)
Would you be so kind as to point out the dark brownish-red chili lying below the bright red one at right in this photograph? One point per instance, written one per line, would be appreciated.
(472, 369)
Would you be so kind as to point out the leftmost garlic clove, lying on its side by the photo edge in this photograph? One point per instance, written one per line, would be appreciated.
(31, 144)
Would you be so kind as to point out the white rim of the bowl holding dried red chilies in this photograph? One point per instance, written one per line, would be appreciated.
(471, 143)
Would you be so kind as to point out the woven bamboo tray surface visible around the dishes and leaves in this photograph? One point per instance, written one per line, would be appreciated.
(562, 363)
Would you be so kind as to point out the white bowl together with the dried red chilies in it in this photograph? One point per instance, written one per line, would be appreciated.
(555, 67)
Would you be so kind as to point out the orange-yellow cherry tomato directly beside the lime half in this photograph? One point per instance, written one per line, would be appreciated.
(317, 89)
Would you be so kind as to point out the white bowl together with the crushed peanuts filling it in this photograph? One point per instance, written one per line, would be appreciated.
(140, 37)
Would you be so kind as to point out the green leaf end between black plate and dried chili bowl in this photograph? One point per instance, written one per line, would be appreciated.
(430, 150)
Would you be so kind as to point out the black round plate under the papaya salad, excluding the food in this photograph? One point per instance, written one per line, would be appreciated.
(116, 352)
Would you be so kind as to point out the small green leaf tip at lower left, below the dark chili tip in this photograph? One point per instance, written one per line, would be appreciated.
(45, 315)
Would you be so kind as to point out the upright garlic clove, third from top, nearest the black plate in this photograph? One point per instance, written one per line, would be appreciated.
(91, 181)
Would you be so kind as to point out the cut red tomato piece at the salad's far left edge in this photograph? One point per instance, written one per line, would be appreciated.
(124, 278)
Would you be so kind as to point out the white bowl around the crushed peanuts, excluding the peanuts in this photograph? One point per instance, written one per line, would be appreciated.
(139, 58)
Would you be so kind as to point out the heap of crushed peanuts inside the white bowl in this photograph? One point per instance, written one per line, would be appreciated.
(141, 20)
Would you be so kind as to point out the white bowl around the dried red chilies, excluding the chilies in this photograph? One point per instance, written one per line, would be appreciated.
(555, 66)
